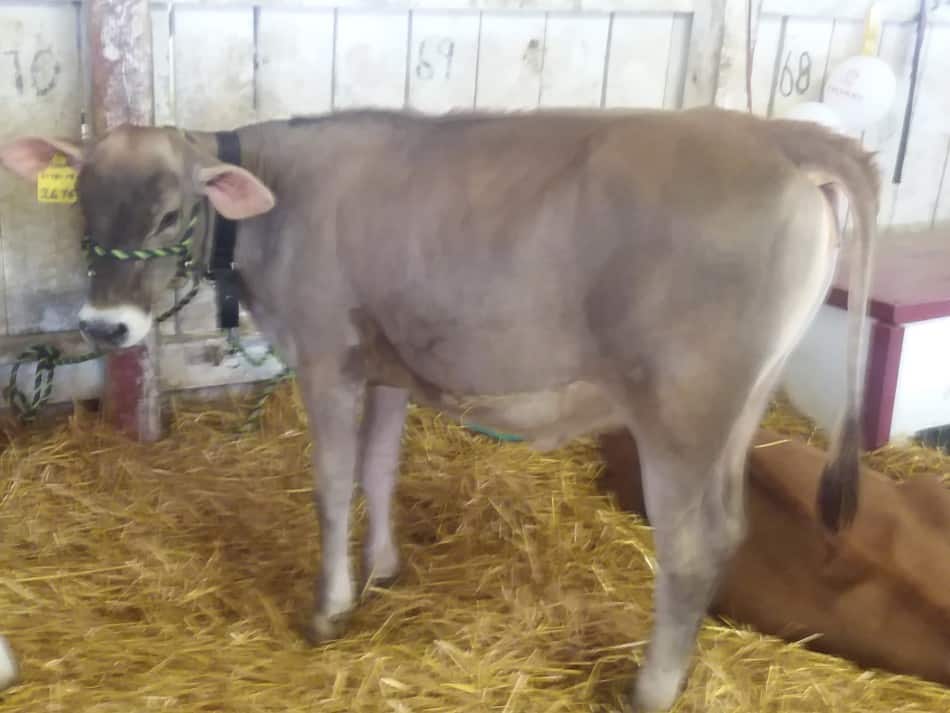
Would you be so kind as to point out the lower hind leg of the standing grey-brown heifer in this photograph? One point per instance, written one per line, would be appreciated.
(694, 496)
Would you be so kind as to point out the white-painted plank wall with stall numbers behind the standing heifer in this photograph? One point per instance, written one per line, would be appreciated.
(220, 69)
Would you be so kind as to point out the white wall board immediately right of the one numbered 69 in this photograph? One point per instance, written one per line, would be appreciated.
(510, 61)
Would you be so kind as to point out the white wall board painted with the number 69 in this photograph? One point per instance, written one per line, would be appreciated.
(443, 67)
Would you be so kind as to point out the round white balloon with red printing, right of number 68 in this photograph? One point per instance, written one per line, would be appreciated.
(861, 90)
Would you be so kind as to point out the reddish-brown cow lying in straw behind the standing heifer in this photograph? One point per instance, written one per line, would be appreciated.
(881, 600)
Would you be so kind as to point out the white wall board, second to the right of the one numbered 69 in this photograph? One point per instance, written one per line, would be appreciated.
(575, 50)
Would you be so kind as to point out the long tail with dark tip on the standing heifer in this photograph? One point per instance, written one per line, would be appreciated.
(838, 162)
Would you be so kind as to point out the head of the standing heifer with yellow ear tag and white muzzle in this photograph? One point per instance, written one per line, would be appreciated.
(139, 190)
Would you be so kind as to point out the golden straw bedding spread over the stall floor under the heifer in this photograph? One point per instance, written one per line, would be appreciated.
(171, 576)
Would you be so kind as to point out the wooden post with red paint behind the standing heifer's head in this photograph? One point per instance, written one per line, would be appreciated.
(120, 63)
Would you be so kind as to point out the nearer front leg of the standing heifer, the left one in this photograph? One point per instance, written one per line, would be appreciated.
(333, 423)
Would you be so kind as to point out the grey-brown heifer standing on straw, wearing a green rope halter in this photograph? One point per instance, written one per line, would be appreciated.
(551, 274)
